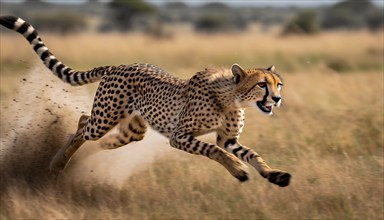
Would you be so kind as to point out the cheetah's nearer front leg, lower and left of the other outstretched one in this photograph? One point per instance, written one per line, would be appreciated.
(188, 143)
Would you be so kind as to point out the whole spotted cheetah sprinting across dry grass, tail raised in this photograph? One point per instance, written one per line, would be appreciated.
(139, 95)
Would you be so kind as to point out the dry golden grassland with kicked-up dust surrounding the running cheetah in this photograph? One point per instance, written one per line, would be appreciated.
(328, 132)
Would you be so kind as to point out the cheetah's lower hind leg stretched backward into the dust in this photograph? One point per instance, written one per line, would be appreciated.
(62, 157)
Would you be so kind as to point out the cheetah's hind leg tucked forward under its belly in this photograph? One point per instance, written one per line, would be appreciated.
(131, 129)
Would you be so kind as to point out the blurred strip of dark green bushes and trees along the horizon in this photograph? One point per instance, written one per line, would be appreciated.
(209, 17)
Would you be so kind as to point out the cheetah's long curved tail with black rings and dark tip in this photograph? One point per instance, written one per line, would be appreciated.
(58, 68)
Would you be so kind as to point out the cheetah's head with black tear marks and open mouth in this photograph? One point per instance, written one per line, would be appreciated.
(257, 88)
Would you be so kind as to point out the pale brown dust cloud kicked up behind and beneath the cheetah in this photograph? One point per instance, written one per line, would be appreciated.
(37, 120)
